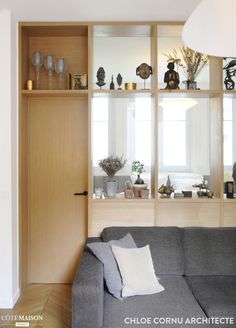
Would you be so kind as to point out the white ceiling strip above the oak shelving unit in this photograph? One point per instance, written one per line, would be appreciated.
(100, 10)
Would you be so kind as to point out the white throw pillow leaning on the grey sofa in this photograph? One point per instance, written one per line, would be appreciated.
(137, 271)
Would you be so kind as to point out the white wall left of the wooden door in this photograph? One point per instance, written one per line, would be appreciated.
(9, 285)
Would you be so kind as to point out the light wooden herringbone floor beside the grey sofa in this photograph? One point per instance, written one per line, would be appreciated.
(52, 302)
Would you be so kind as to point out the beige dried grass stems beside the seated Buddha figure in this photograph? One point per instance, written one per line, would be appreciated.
(193, 62)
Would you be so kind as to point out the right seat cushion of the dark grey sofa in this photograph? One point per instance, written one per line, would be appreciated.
(216, 294)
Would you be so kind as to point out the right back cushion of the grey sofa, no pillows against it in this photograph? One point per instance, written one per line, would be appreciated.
(209, 251)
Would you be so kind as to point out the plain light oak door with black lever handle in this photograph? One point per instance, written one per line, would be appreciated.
(57, 169)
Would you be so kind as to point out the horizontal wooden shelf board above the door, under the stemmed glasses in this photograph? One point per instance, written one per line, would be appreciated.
(55, 93)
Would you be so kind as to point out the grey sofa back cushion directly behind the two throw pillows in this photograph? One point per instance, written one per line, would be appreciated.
(165, 245)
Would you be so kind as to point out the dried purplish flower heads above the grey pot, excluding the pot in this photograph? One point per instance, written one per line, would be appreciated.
(111, 165)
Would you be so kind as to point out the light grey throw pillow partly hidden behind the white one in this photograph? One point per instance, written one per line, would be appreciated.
(111, 272)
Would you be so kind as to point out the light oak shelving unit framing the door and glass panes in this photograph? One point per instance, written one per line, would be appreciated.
(75, 42)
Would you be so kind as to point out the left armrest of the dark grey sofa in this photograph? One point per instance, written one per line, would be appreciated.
(88, 293)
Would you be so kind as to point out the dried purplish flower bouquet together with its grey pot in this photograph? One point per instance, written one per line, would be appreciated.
(111, 165)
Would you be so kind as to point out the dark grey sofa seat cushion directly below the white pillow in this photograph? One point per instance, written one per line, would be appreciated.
(176, 301)
